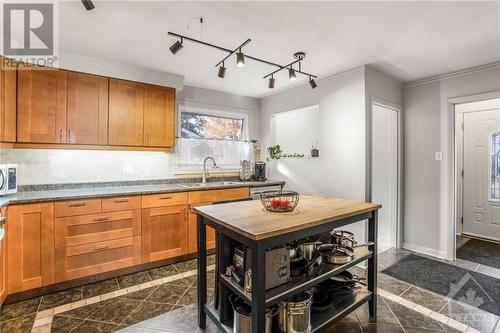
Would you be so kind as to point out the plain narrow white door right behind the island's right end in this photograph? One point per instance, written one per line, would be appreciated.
(385, 172)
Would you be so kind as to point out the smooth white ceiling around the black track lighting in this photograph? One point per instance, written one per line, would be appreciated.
(408, 40)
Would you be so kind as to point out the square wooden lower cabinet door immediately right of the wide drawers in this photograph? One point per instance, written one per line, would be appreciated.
(164, 232)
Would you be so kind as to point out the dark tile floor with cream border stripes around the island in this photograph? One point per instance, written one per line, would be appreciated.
(164, 300)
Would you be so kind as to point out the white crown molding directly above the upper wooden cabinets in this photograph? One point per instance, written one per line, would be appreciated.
(80, 63)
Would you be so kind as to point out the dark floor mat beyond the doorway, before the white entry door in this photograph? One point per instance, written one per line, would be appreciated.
(481, 252)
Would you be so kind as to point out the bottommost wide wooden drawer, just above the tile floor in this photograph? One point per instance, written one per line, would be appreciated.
(83, 260)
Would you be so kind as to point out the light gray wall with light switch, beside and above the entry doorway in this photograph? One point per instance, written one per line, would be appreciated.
(428, 128)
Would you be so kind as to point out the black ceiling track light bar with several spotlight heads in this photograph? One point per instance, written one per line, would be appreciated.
(241, 60)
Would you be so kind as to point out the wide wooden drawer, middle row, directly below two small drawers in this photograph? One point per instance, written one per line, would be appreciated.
(85, 229)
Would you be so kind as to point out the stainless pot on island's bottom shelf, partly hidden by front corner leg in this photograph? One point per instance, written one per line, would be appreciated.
(242, 316)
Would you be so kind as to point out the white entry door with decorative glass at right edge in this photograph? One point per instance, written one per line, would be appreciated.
(481, 191)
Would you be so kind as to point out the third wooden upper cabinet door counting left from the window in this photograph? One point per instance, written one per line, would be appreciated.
(87, 116)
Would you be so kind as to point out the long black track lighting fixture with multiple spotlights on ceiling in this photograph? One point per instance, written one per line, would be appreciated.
(240, 60)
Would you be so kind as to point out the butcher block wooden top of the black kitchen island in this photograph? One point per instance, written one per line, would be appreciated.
(251, 220)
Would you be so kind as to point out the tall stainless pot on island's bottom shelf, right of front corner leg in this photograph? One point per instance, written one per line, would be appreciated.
(295, 313)
